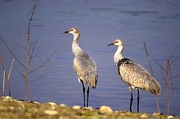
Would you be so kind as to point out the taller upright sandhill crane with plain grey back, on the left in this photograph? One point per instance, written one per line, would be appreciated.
(84, 65)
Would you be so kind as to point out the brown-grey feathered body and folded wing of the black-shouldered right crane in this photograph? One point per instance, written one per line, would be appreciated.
(137, 76)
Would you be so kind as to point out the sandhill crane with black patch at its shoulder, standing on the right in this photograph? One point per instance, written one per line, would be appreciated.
(134, 75)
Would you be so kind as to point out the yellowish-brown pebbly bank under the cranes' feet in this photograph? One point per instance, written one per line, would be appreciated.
(11, 108)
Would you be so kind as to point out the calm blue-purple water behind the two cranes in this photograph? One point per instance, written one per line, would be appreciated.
(100, 23)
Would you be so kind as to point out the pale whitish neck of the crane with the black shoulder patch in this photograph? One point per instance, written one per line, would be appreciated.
(118, 55)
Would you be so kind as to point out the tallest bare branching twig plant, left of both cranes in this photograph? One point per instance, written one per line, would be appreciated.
(30, 69)
